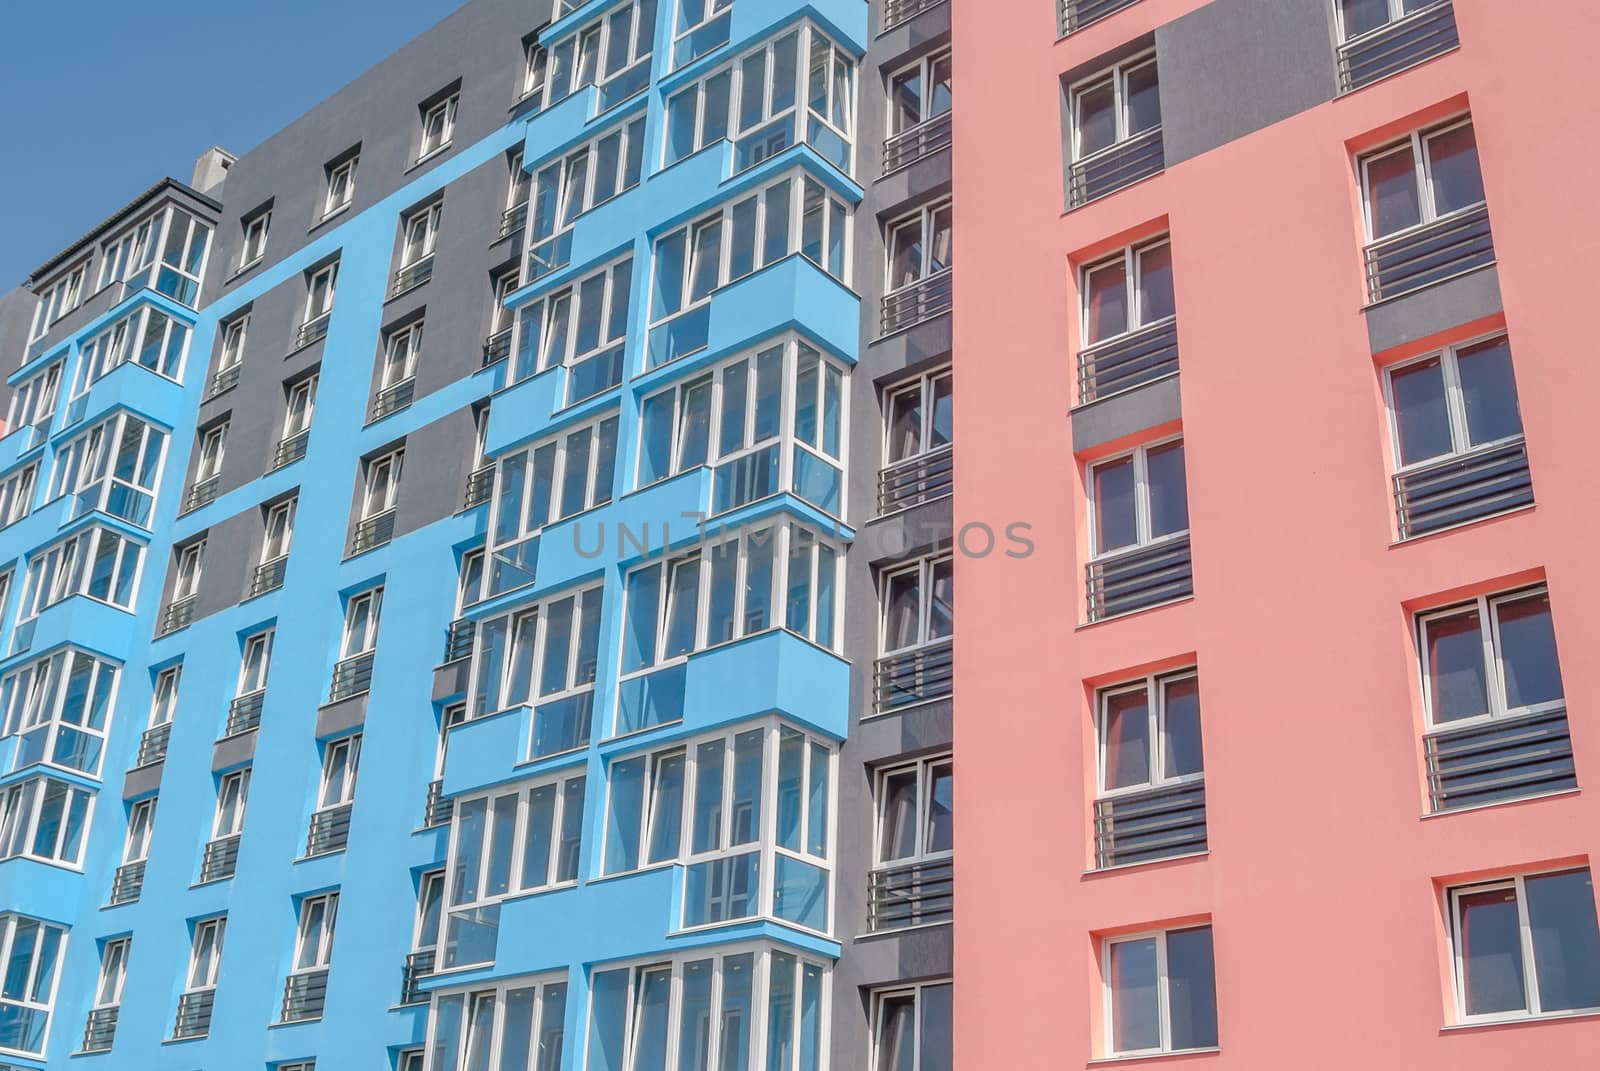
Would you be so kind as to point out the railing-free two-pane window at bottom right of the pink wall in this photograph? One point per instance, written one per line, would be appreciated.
(1526, 947)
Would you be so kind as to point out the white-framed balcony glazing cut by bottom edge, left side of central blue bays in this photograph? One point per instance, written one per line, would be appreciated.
(516, 1025)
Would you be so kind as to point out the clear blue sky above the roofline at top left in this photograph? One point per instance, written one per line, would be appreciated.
(105, 97)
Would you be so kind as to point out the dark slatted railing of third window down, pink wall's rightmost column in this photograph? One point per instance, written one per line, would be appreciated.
(1465, 489)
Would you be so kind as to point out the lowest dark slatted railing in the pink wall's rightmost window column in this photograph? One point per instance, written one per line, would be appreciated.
(1511, 758)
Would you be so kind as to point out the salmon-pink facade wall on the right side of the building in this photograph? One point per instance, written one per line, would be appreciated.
(1326, 876)
